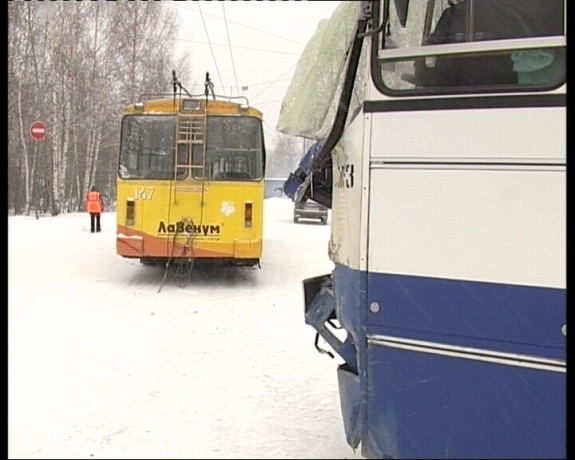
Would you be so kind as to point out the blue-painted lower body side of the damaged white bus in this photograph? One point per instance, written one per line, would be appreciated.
(453, 407)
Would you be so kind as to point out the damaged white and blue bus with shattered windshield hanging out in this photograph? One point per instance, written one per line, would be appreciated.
(443, 161)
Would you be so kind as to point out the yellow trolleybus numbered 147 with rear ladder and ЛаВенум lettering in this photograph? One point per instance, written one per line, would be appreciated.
(191, 180)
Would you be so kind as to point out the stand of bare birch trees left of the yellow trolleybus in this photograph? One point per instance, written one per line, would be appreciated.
(73, 65)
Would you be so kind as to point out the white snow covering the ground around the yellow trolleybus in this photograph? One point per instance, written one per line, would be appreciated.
(101, 365)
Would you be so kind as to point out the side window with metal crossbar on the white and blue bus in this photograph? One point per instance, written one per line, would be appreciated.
(462, 22)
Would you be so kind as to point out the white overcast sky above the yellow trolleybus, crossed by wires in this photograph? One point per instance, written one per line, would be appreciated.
(266, 37)
